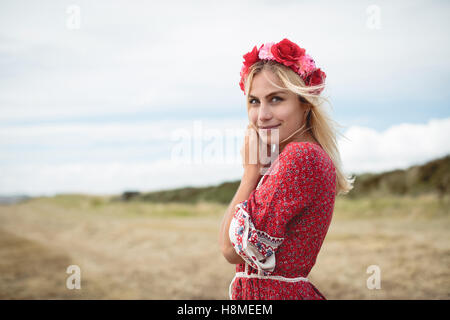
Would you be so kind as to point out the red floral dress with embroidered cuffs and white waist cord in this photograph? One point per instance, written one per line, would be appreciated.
(280, 229)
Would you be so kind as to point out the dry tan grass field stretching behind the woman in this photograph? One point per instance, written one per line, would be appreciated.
(170, 251)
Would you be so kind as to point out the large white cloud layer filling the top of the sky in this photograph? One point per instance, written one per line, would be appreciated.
(129, 57)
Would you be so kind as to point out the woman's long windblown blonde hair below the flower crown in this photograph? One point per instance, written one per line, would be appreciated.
(323, 128)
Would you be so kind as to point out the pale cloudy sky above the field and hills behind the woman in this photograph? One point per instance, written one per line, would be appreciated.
(102, 97)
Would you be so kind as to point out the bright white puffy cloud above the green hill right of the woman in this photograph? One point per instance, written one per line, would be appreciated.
(398, 147)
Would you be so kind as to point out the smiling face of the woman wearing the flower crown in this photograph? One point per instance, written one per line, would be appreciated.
(270, 106)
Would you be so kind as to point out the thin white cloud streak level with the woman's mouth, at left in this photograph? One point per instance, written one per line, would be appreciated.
(85, 134)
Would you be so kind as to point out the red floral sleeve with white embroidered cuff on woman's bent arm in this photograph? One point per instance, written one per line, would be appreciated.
(258, 226)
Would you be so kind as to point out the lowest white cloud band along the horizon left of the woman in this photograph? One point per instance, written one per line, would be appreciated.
(112, 178)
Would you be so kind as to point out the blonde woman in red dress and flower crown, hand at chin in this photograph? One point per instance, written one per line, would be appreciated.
(275, 224)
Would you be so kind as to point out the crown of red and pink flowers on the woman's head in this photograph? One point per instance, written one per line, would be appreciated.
(289, 54)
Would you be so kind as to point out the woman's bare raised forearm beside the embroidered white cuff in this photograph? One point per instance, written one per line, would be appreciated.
(247, 185)
